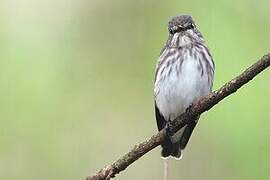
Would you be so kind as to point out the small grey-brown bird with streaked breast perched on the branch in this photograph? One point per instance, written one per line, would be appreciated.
(184, 73)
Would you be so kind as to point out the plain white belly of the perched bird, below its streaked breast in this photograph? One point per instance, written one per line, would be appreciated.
(175, 92)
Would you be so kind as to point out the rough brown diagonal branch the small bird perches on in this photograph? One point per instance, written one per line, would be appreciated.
(204, 104)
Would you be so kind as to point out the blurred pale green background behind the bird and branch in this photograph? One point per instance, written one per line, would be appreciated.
(77, 88)
